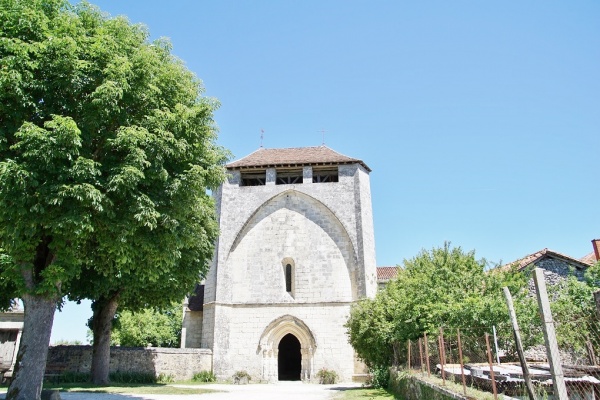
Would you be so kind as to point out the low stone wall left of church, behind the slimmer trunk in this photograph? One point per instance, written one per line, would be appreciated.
(182, 364)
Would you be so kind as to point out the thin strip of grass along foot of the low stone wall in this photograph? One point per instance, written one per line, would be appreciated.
(128, 389)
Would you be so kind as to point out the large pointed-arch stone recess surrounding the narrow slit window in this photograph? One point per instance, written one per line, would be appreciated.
(293, 225)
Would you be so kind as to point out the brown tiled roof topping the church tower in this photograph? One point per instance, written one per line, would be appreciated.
(294, 157)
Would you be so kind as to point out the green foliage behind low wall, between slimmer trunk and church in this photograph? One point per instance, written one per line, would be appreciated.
(151, 326)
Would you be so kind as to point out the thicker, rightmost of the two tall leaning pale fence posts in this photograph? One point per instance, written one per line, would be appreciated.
(558, 378)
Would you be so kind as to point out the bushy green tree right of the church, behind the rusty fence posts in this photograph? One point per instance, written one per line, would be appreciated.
(444, 287)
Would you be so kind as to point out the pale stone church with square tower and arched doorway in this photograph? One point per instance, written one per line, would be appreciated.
(296, 250)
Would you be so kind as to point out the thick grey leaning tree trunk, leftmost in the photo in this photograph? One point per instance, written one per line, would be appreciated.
(28, 376)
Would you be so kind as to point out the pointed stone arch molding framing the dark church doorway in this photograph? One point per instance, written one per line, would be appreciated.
(268, 346)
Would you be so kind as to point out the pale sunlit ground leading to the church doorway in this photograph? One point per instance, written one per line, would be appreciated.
(277, 391)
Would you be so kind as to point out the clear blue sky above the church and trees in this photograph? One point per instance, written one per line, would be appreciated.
(480, 120)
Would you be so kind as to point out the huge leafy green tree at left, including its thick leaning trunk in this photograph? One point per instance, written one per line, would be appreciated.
(106, 151)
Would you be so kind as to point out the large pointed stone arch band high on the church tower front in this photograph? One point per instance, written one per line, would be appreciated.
(314, 211)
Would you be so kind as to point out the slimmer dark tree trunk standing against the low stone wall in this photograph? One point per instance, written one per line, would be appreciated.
(104, 311)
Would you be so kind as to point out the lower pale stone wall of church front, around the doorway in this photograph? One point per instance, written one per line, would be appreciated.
(246, 345)
